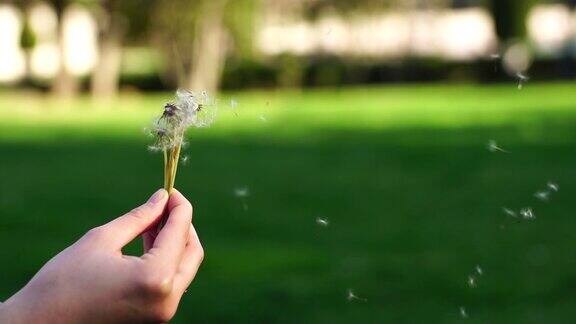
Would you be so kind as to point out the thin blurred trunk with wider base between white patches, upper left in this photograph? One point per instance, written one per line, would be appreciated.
(65, 84)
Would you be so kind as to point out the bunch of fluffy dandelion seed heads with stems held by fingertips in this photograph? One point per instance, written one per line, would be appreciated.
(188, 110)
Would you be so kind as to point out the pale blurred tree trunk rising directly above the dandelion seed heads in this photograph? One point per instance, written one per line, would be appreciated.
(209, 50)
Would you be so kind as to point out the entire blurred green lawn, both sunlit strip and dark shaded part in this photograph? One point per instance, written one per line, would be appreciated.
(413, 197)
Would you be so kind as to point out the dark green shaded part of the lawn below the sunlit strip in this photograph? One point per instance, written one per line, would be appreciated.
(411, 213)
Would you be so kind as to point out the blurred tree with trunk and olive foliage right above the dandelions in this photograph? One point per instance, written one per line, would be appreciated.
(196, 36)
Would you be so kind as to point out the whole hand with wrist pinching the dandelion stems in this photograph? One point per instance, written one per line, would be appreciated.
(93, 282)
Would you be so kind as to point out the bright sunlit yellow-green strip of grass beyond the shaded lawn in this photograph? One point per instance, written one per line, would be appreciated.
(291, 114)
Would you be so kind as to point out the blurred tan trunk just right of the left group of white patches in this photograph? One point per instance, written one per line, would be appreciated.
(106, 74)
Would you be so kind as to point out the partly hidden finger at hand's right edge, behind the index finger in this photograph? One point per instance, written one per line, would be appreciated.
(191, 260)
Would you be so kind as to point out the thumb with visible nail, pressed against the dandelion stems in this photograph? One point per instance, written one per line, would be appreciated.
(126, 228)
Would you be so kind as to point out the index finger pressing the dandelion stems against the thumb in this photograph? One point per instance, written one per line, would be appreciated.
(170, 242)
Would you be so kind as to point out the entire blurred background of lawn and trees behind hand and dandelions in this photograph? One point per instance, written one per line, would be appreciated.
(377, 161)
